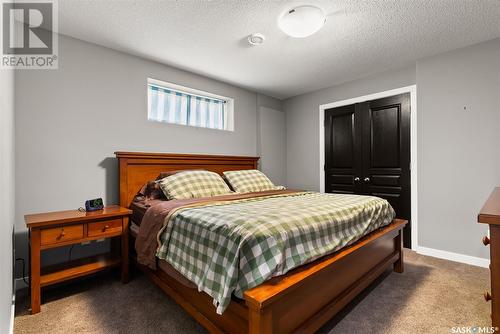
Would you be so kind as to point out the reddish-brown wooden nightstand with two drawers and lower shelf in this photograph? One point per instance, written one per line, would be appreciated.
(56, 229)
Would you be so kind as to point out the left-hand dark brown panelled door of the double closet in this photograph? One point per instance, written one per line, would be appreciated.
(343, 152)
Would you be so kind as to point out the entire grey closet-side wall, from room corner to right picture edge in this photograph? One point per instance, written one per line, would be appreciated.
(458, 154)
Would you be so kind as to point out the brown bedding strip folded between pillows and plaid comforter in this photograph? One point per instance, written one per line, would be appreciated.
(146, 242)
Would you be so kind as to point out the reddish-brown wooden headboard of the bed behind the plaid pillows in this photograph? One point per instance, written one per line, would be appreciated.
(136, 168)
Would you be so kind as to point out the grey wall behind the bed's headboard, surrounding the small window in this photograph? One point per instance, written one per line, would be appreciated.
(70, 121)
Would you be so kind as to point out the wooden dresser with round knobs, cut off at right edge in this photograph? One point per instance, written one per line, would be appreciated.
(490, 214)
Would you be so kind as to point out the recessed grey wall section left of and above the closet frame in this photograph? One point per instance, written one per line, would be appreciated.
(302, 122)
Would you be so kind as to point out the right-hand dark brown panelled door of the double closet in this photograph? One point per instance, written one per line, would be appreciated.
(386, 154)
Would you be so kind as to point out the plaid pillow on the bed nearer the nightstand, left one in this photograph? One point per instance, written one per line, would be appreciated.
(193, 184)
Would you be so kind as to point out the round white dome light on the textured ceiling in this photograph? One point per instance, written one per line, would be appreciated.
(302, 21)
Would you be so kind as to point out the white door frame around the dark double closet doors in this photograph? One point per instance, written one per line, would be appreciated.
(413, 145)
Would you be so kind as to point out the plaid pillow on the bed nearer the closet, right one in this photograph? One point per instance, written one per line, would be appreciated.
(250, 180)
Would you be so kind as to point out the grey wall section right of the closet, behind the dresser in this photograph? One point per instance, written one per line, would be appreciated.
(458, 150)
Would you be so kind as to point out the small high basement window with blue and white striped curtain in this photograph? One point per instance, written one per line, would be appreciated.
(171, 103)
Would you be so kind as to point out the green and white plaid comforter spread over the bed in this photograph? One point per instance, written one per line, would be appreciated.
(229, 247)
